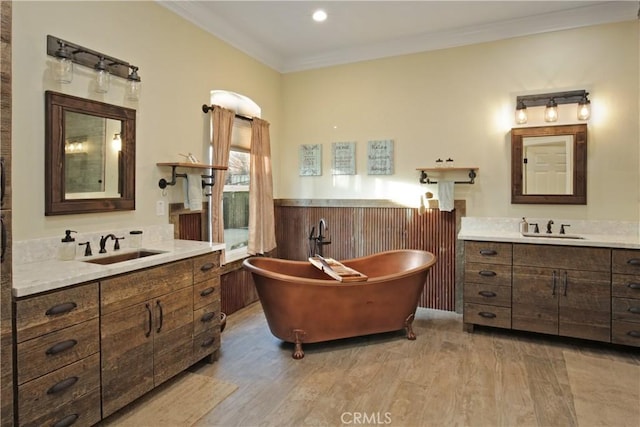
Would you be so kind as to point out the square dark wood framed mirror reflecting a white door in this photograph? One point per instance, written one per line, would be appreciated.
(549, 165)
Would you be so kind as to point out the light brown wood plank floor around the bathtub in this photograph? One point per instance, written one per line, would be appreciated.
(446, 377)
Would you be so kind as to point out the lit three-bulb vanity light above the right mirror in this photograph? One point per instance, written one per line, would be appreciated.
(551, 101)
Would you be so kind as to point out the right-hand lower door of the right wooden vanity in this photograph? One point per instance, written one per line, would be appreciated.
(585, 305)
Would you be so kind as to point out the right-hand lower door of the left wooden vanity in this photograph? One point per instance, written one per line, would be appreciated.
(173, 334)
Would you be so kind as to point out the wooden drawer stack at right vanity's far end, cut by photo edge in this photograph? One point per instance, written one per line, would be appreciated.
(625, 301)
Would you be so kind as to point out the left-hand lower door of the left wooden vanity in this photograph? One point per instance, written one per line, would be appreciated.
(127, 355)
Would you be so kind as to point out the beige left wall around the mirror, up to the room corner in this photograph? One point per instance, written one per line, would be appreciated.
(179, 65)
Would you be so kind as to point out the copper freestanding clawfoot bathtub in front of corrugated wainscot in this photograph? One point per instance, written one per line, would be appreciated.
(304, 305)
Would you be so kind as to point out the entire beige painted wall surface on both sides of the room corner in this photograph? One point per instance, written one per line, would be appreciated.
(456, 102)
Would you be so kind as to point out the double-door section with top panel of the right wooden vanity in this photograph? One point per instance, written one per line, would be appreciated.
(562, 290)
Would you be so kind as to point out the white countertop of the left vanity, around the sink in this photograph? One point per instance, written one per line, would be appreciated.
(47, 275)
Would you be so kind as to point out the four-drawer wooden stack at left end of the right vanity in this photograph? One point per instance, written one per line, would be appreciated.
(487, 284)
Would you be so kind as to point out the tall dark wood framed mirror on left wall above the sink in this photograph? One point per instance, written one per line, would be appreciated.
(90, 150)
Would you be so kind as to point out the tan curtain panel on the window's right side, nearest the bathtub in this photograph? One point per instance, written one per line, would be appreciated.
(262, 233)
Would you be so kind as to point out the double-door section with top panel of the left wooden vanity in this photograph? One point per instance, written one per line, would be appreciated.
(146, 331)
